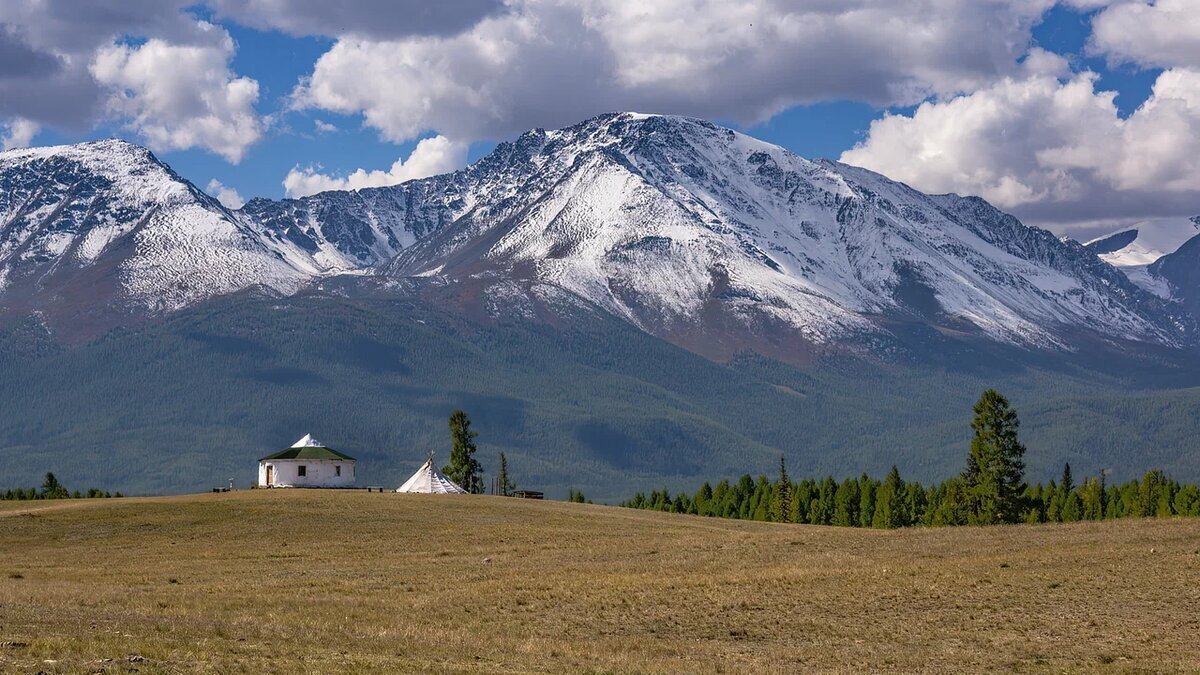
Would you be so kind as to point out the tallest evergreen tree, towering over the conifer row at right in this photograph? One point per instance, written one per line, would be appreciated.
(995, 470)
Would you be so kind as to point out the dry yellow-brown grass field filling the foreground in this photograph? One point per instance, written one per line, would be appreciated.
(347, 582)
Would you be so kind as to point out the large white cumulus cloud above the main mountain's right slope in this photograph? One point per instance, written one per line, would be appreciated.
(1053, 151)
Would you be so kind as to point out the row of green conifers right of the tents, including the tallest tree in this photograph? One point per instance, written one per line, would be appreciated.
(991, 491)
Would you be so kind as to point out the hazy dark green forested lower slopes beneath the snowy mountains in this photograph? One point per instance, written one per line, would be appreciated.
(189, 402)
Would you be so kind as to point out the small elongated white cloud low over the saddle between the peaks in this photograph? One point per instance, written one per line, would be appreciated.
(433, 157)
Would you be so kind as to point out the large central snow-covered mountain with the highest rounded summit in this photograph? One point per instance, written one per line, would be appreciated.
(676, 225)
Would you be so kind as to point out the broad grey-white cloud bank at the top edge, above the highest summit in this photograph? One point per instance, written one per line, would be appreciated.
(550, 63)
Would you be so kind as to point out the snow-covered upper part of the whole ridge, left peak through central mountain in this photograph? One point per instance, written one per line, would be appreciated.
(675, 225)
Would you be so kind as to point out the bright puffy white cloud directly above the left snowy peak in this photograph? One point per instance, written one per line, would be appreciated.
(181, 97)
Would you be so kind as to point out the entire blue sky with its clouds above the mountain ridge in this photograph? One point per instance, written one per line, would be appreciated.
(977, 100)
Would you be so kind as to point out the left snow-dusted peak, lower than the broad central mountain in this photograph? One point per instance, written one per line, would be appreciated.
(97, 223)
